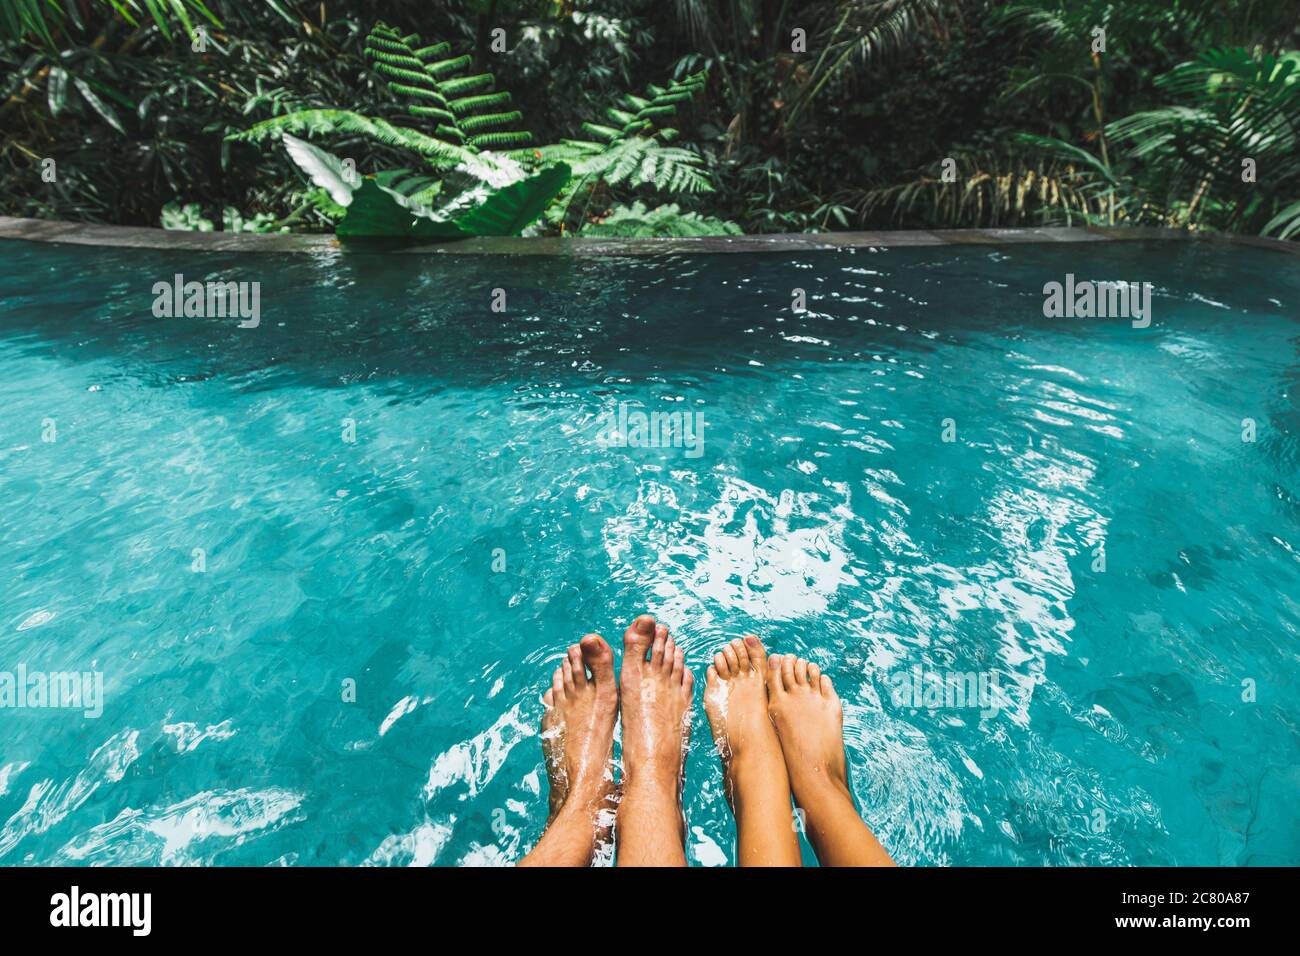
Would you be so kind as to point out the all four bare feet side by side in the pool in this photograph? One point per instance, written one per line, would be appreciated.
(778, 725)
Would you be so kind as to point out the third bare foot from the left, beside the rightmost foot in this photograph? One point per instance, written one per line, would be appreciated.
(757, 785)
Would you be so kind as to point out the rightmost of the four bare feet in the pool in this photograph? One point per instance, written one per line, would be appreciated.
(809, 721)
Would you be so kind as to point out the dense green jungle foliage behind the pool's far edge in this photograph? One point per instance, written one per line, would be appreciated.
(651, 118)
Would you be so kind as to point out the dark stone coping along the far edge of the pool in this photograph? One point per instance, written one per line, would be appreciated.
(138, 237)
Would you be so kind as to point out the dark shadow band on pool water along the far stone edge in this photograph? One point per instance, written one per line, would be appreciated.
(339, 319)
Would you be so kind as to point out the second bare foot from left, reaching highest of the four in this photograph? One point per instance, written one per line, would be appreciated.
(657, 694)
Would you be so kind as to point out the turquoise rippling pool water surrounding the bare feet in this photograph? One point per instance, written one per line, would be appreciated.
(1097, 543)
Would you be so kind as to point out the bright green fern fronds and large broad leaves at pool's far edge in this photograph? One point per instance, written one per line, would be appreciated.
(483, 185)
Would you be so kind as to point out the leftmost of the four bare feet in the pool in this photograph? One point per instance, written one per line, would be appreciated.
(578, 741)
